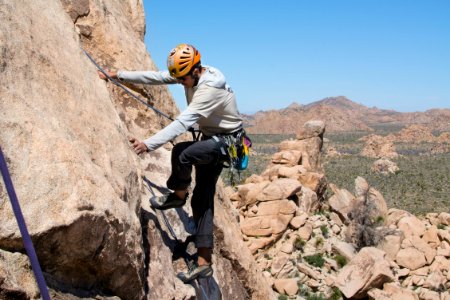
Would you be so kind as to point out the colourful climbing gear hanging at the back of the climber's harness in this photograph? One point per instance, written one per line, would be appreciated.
(238, 148)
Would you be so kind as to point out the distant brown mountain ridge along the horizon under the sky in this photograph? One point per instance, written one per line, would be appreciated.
(341, 114)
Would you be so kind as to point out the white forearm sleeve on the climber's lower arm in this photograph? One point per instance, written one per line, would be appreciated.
(179, 126)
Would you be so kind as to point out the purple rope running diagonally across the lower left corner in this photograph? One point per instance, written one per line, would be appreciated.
(23, 229)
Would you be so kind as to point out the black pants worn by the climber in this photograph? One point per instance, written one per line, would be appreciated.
(207, 157)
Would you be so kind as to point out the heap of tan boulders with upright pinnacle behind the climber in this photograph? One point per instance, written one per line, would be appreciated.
(349, 246)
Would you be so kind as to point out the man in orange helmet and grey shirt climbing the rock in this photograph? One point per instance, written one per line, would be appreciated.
(211, 105)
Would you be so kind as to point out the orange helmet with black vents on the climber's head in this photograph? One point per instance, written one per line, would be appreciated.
(181, 59)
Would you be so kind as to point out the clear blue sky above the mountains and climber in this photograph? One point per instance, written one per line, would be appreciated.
(392, 54)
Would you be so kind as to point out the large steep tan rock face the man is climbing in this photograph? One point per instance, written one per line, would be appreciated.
(64, 133)
